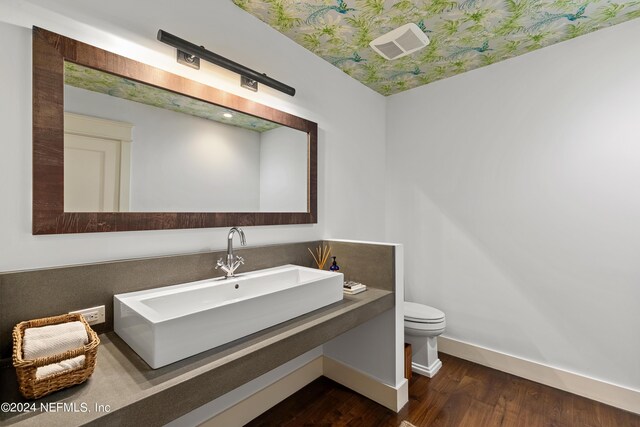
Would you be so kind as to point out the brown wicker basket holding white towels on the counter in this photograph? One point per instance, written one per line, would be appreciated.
(33, 388)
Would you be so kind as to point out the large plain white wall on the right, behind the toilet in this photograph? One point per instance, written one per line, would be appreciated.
(514, 189)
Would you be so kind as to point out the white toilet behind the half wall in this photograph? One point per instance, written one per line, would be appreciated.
(422, 325)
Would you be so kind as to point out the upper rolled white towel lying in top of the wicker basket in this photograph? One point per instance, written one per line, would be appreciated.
(53, 339)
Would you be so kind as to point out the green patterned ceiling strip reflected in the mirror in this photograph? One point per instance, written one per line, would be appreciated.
(109, 84)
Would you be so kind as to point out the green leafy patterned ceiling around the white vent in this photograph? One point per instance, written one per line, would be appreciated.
(464, 34)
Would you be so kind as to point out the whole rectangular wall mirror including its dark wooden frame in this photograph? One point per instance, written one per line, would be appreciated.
(178, 154)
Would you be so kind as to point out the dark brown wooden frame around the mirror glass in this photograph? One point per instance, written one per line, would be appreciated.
(50, 51)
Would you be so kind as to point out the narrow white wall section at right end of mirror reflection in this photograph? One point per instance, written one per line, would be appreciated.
(283, 170)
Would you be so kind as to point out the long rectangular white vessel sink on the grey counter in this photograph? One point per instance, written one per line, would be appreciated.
(167, 324)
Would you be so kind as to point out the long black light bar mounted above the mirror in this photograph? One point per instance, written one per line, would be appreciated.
(214, 58)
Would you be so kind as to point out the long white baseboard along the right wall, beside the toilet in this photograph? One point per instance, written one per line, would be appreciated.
(611, 394)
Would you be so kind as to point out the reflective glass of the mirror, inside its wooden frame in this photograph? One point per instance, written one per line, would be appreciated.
(131, 147)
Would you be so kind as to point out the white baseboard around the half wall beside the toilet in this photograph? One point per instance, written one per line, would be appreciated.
(362, 383)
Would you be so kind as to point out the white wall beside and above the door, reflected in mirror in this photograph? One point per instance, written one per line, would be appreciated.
(181, 163)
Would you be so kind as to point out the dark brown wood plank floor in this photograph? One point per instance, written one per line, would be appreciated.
(462, 394)
